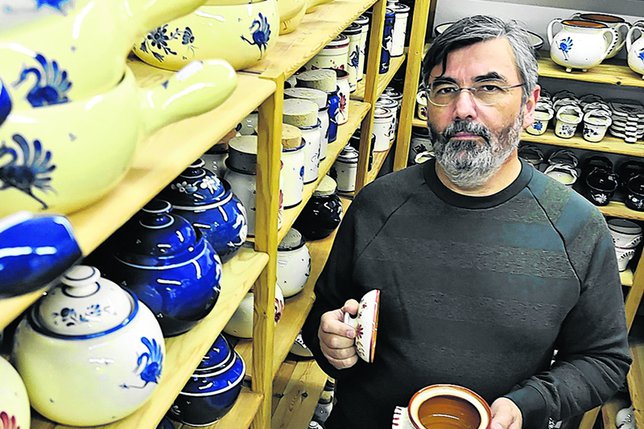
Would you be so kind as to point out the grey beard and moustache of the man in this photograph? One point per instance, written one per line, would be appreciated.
(469, 164)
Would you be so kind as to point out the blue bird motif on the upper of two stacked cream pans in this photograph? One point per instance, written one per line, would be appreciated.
(52, 84)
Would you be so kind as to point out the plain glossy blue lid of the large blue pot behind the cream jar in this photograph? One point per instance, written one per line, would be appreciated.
(155, 237)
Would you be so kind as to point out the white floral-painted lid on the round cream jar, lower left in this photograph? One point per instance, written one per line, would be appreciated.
(84, 304)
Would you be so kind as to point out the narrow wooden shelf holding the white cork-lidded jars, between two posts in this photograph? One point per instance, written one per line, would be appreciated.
(357, 111)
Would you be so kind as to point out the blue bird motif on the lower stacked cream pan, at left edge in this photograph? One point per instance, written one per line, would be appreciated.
(29, 171)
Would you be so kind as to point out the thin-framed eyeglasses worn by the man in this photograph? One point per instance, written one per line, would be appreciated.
(488, 94)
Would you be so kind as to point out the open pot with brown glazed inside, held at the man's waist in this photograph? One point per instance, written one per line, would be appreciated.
(448, 406)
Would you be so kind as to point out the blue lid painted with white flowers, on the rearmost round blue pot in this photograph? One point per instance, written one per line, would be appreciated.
(195, 186)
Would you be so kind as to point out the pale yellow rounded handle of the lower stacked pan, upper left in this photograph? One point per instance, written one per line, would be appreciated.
(197, 88)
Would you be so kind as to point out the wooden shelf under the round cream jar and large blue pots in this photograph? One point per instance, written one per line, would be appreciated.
(184, 352)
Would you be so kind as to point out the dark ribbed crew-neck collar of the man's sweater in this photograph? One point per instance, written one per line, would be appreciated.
(472, 202)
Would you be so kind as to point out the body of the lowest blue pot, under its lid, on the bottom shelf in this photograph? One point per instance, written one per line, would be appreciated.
(207, 397)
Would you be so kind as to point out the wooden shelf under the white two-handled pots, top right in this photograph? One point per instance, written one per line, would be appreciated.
(616, 72)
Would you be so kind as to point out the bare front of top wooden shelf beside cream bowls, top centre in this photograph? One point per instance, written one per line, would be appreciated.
(316, 30)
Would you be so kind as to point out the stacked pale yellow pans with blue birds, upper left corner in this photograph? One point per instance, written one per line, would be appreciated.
(76, 112)
